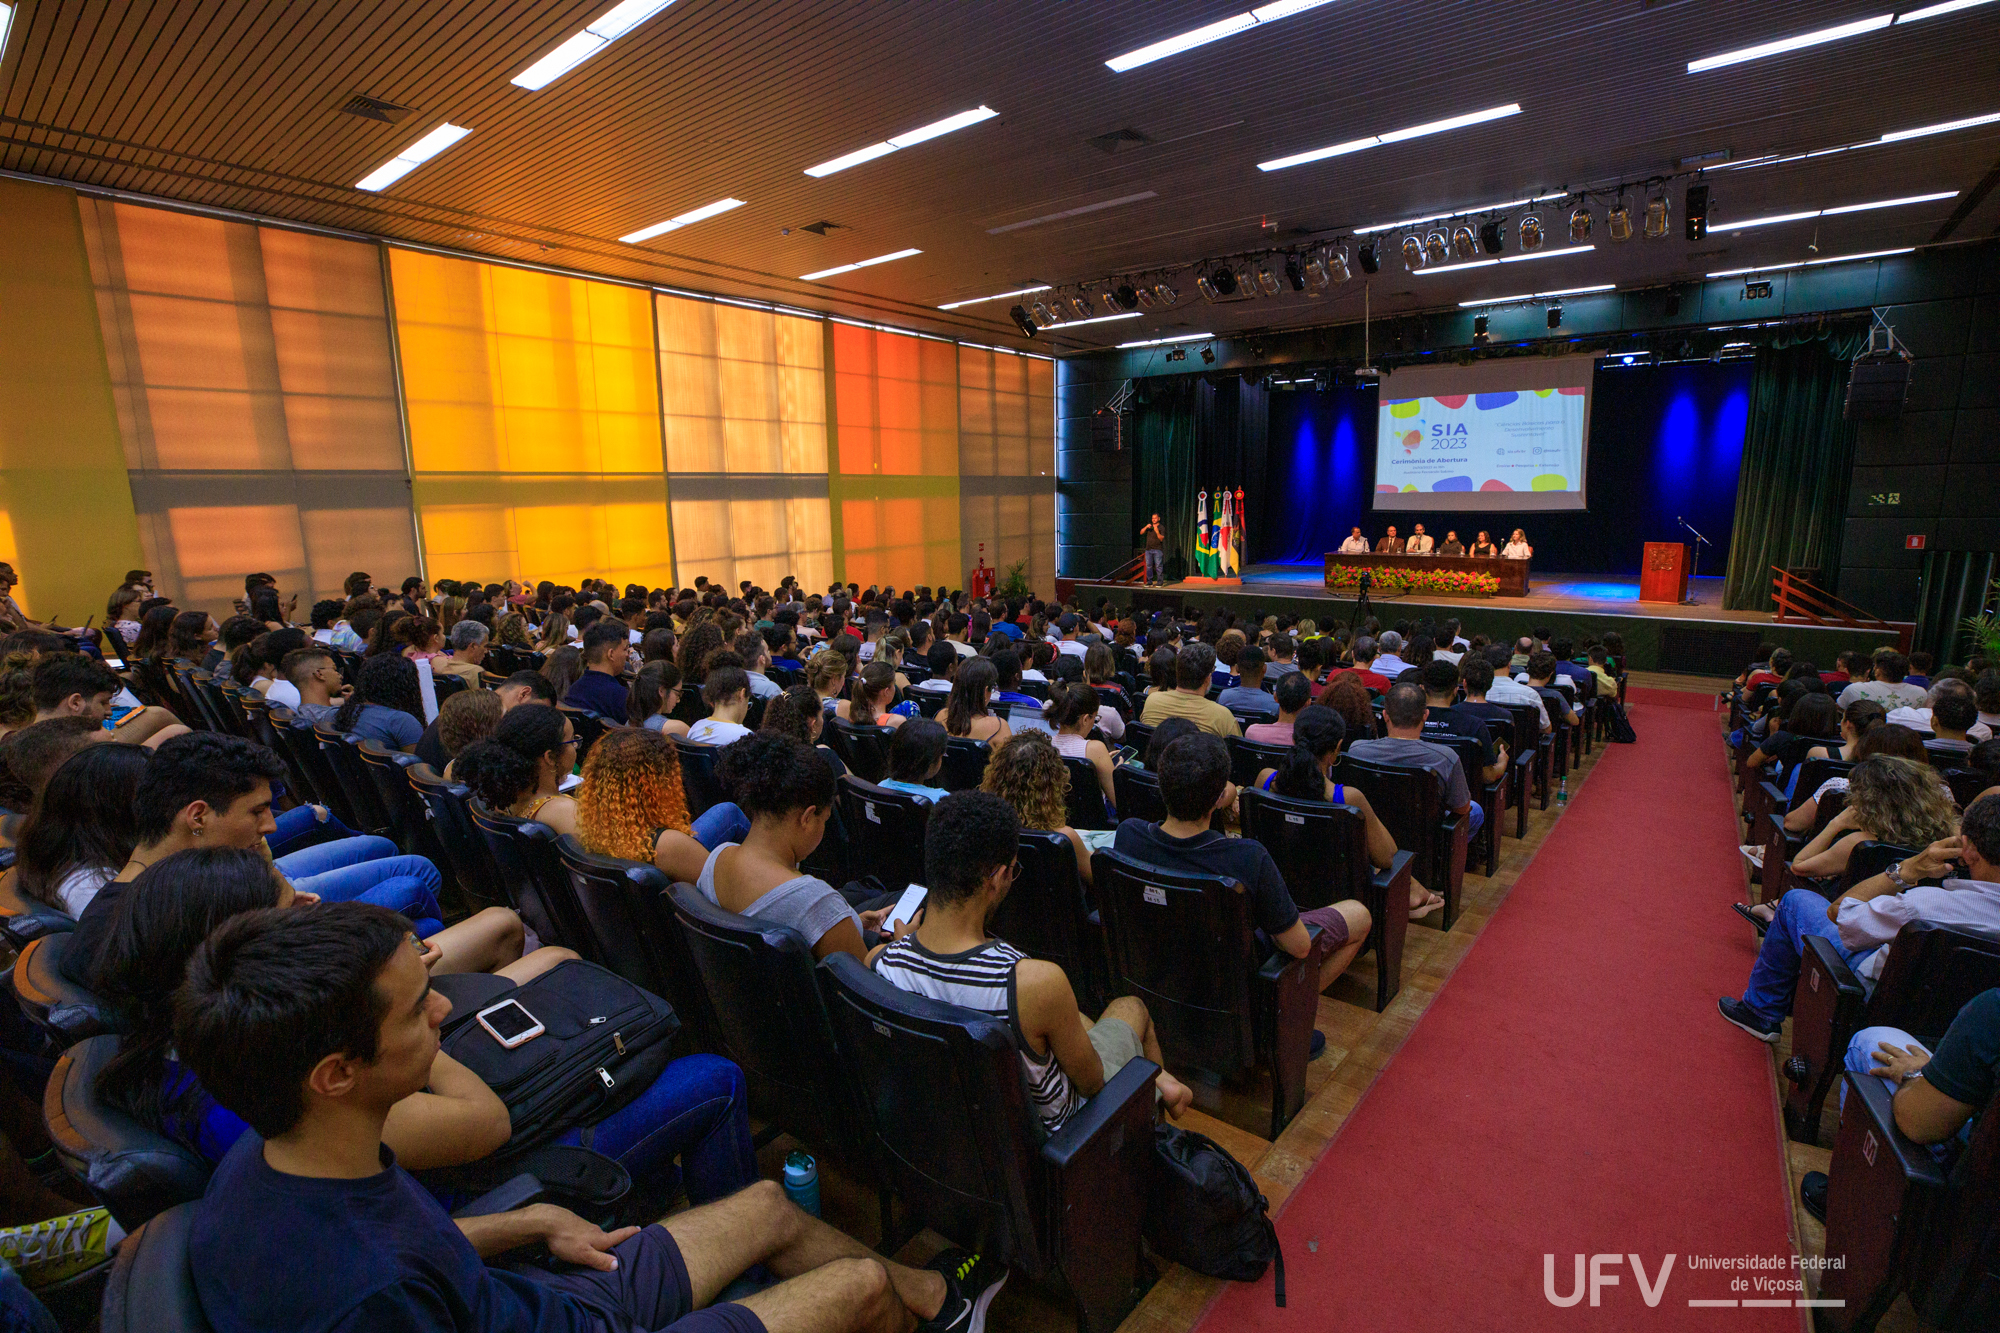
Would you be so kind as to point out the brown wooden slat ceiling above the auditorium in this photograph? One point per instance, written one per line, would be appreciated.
(237, 105)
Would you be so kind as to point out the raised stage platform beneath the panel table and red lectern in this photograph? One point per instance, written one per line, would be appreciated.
(1699, 637)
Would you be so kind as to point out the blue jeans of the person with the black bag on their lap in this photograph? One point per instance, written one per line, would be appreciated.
(697, 1112)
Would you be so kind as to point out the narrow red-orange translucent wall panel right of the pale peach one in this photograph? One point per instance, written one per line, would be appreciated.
(895, 479)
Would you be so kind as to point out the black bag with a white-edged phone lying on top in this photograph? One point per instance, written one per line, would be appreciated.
(605, 1046)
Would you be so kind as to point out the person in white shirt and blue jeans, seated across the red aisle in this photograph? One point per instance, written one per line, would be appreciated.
(1869, 918)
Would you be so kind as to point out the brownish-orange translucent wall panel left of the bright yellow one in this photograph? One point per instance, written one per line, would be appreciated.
(253, 379)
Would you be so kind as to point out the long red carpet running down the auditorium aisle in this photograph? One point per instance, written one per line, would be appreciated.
(1571, 1092)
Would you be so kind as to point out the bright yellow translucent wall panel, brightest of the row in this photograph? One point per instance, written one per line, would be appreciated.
(535, 423)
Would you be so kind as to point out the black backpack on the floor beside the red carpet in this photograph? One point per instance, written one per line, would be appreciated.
(1205, 1210)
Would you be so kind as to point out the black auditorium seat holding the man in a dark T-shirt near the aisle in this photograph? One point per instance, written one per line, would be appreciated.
(1187, 948)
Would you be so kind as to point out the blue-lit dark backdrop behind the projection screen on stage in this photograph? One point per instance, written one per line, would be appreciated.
(1663, 443)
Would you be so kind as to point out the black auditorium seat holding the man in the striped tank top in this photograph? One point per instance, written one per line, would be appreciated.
(951, 1126)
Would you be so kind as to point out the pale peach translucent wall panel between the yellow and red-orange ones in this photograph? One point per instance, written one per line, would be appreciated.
(745, 417)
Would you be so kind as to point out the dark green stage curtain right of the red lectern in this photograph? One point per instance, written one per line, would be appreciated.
(1799, 453)
